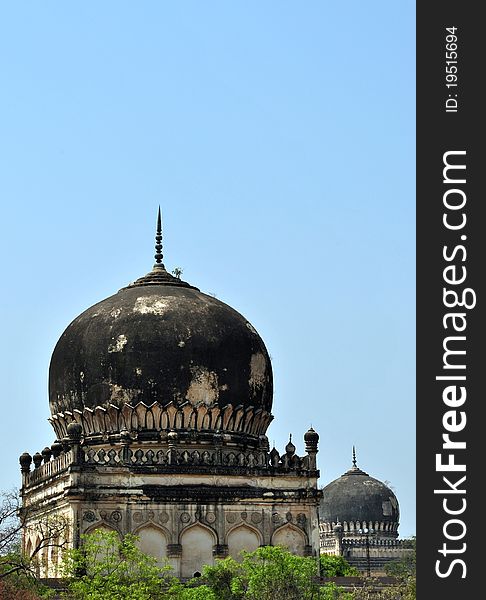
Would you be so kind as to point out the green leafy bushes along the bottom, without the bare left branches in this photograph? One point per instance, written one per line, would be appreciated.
(107, 568)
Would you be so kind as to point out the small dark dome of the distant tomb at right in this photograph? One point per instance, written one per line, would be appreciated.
(357, 497)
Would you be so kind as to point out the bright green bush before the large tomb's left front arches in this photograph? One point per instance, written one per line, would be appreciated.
(108, 568)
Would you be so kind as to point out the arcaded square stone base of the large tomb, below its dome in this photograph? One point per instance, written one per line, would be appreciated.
(187, 504)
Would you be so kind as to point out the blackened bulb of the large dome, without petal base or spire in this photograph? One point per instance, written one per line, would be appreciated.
(159, 343)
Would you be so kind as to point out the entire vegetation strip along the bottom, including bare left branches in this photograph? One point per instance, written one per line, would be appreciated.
(108, 568)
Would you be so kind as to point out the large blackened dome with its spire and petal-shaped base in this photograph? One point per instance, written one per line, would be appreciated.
(161, 343)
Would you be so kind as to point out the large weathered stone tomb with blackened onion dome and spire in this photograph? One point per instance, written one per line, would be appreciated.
(160, 398)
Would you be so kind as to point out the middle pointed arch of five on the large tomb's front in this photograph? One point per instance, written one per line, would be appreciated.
(197, 548)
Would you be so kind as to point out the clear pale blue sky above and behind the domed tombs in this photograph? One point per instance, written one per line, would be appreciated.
(279, 139)
